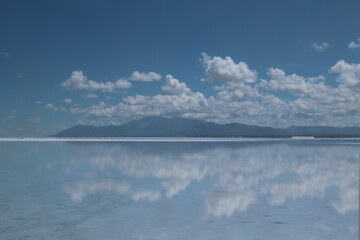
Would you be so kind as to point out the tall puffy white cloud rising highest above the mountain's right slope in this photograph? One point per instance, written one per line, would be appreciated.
(226, 70)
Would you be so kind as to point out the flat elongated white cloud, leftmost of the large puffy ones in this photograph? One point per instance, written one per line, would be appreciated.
(79, 81)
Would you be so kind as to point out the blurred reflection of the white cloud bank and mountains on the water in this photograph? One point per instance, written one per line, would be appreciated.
(240, 173)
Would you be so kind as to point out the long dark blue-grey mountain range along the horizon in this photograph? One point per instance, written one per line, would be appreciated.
(180, 127)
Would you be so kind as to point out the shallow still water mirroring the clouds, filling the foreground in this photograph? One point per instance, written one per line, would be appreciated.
(263, 189)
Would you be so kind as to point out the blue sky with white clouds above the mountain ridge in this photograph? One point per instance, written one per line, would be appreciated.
(268, 63)
